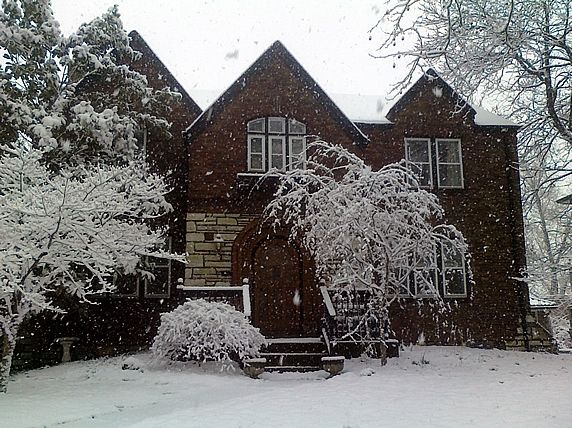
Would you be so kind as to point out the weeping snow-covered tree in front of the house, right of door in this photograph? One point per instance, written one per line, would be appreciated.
(365, 228)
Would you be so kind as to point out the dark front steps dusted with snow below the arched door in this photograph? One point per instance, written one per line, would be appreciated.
(294, 354)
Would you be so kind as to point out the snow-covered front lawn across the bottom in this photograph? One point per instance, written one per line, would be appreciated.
(425, 387)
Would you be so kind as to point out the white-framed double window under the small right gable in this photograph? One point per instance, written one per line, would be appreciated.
(437, 161)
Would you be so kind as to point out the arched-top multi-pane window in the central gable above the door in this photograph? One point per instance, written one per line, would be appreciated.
(276, 142)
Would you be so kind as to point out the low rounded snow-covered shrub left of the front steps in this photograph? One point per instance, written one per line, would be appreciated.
(200, 330)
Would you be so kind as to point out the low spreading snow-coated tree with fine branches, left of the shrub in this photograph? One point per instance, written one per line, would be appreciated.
(68, 233)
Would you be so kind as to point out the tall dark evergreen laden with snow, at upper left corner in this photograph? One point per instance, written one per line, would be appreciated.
(74, 94)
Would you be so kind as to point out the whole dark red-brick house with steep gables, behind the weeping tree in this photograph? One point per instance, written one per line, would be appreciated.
(467, 156)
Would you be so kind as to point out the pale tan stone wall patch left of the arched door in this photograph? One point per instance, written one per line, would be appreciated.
(209, 247)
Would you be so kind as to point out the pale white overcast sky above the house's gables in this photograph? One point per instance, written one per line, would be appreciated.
(207, 44)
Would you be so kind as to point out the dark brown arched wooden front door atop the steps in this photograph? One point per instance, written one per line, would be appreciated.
(277, 287)
